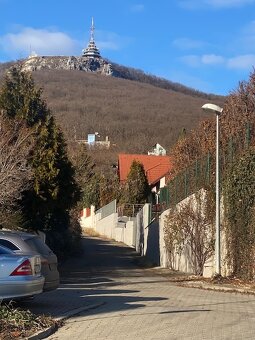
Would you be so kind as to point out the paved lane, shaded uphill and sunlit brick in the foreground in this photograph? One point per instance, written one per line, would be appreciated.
(140, 304)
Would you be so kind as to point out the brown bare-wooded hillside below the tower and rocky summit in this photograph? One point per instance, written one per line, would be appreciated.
(134, 113)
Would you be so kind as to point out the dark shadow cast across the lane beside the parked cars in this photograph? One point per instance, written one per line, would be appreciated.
(93, 279)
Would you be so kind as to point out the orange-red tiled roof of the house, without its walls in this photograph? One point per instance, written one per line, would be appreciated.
(155, 167)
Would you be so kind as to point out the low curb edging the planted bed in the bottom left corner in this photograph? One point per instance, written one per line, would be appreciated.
(52, 329)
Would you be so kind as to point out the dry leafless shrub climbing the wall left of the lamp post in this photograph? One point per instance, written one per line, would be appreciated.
(189, 226)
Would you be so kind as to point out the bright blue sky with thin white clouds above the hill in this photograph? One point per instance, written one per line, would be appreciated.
(208, 45)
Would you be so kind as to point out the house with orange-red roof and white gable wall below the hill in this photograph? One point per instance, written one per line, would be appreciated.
(157, 169)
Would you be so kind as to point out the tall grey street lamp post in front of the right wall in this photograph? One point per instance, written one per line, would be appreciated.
(217, 110)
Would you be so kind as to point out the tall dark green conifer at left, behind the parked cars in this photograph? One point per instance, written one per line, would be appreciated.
(54, 191)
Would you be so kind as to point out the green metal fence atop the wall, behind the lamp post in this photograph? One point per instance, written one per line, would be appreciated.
(201, 174)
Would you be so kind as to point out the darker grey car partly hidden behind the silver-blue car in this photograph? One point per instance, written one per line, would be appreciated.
(26, 243)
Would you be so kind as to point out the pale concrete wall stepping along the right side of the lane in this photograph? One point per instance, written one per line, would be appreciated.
(147, 238)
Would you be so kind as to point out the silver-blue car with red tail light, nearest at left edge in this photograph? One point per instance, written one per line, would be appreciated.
(20, 275)
